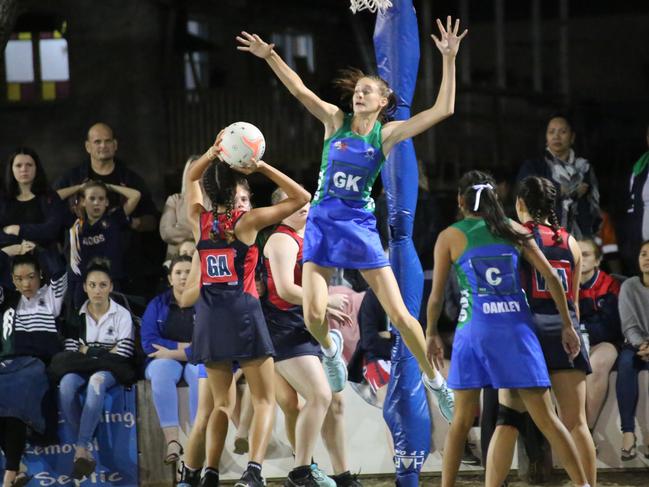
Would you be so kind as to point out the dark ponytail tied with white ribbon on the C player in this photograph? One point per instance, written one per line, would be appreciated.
(489, 207)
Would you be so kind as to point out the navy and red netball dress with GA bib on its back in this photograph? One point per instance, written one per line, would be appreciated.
(230, 323)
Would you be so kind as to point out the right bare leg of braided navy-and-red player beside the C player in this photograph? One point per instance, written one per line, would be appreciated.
(569, 387)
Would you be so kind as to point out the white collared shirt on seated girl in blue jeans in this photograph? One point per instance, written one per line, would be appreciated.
(114, 329)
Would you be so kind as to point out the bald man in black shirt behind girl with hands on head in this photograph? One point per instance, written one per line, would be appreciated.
(144, 249)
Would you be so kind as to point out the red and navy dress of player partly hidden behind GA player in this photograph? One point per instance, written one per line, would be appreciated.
(285, 320)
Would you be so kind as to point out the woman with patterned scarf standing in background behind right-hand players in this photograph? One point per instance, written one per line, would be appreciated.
(574, 177)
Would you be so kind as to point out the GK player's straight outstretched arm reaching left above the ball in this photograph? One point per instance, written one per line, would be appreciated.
(330, 115)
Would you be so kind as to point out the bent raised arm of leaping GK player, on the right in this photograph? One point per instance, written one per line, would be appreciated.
(448, 44)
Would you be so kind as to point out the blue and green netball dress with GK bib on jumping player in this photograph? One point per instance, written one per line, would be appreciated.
(341, 228)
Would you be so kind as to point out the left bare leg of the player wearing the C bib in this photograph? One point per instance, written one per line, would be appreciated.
(466, 402)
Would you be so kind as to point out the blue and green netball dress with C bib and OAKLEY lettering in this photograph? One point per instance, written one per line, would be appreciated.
(494, 343)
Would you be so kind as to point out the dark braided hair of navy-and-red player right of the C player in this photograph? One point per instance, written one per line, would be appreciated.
(540, 195)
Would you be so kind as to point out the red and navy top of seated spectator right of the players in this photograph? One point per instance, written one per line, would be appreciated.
(598, 309)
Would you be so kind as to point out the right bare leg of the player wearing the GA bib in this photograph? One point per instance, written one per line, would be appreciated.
(260, 376)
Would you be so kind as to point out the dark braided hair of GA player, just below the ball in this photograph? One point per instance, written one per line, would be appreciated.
(220, 183)
